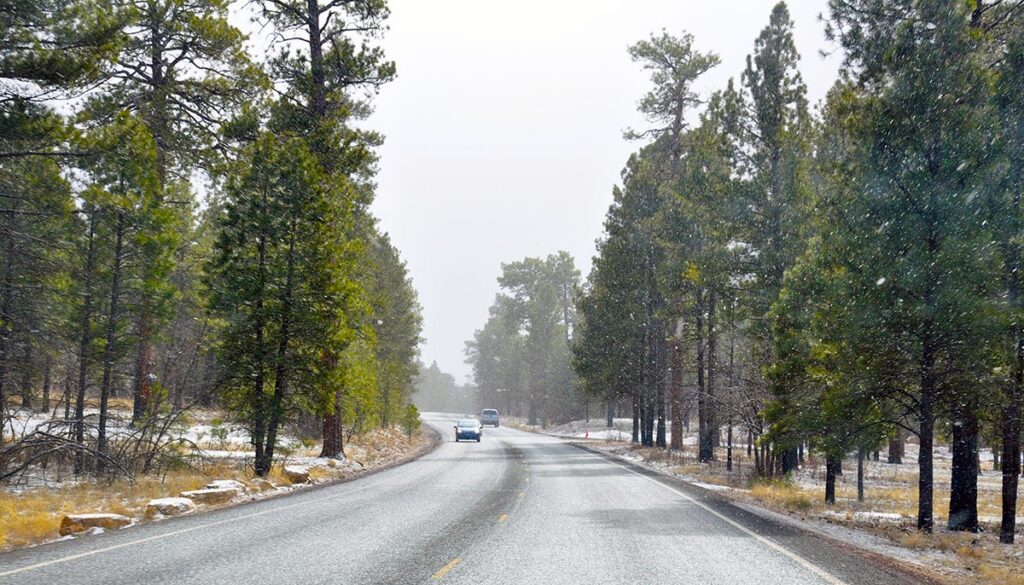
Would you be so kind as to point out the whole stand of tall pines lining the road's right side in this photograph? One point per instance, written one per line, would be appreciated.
(841, 280)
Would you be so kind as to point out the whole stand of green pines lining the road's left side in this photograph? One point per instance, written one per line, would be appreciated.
(275, 296)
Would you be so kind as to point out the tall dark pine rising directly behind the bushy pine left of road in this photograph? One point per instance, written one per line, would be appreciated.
(327, 68)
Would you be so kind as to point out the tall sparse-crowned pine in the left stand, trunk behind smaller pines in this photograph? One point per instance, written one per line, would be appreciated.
(183, 70)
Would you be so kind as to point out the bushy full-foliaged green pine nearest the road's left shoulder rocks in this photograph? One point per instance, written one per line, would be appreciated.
(280, 284)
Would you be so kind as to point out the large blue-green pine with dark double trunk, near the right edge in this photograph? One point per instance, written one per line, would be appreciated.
(920, 241)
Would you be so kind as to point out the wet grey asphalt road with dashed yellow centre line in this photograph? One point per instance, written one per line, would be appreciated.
(516, 509)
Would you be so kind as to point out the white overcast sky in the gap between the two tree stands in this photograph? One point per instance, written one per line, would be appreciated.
(504, 132)
